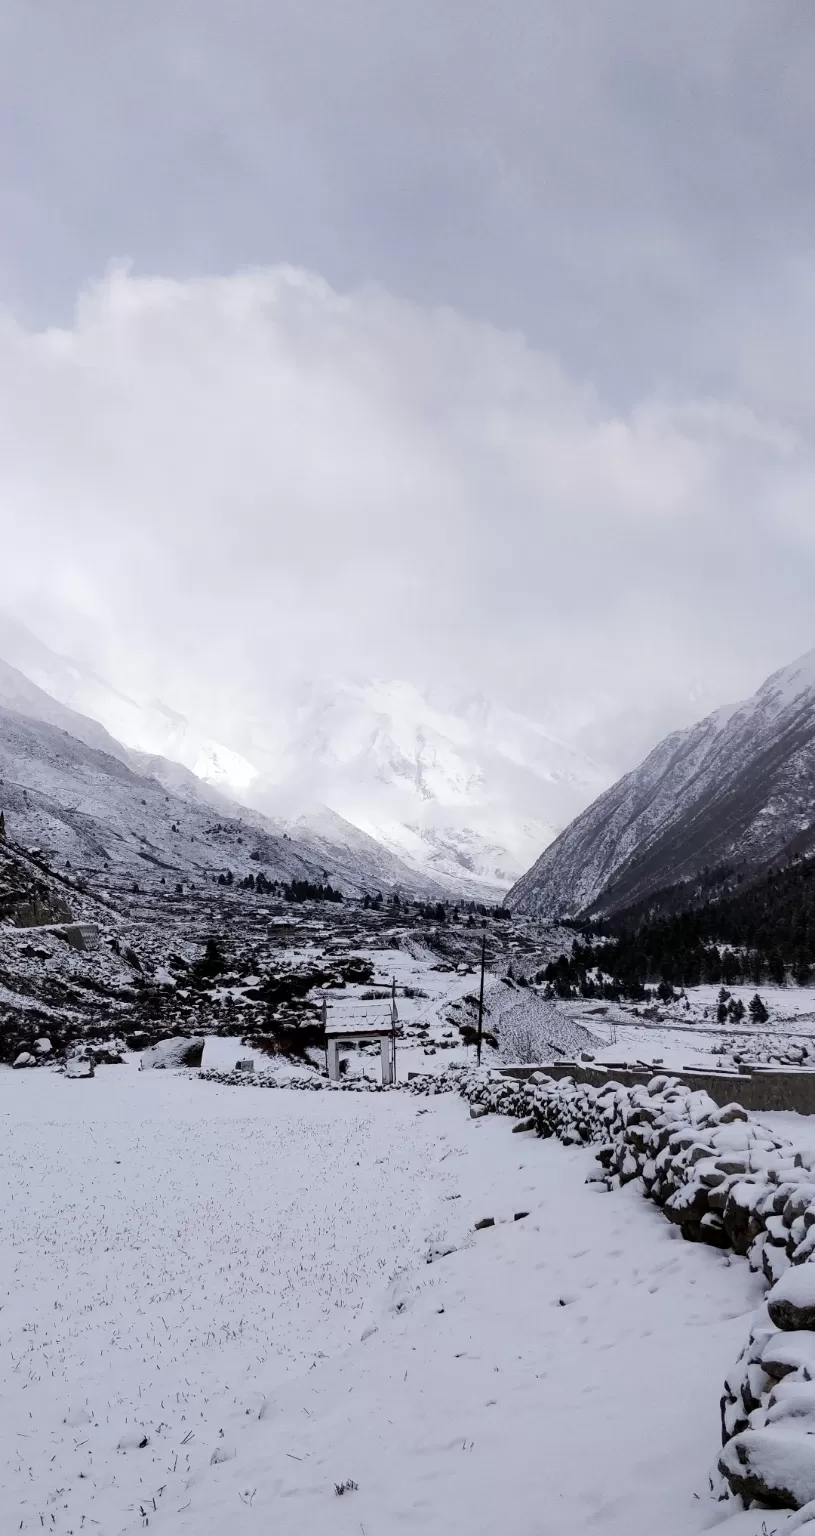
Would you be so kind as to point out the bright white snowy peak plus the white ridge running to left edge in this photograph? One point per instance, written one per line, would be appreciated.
(460, 790)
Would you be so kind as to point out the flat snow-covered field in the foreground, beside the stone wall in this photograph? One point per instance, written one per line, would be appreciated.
(240, 1277)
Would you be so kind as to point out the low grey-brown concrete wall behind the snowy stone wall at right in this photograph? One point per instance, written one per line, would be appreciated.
(767, 1090)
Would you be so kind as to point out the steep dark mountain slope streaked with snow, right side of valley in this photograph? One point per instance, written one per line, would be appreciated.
(737, 790)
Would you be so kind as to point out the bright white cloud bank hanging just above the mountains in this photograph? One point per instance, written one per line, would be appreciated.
(213, 486)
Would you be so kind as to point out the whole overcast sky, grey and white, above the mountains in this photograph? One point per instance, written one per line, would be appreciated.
(467, 342)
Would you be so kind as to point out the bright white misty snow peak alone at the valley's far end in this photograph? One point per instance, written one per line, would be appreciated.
(455, 787)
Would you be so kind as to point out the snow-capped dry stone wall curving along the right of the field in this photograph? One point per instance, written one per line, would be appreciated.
(728, 1182)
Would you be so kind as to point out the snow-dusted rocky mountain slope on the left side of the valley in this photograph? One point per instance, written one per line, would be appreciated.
(70, 789)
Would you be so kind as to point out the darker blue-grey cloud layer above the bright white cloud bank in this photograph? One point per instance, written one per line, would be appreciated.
(636, 197)
